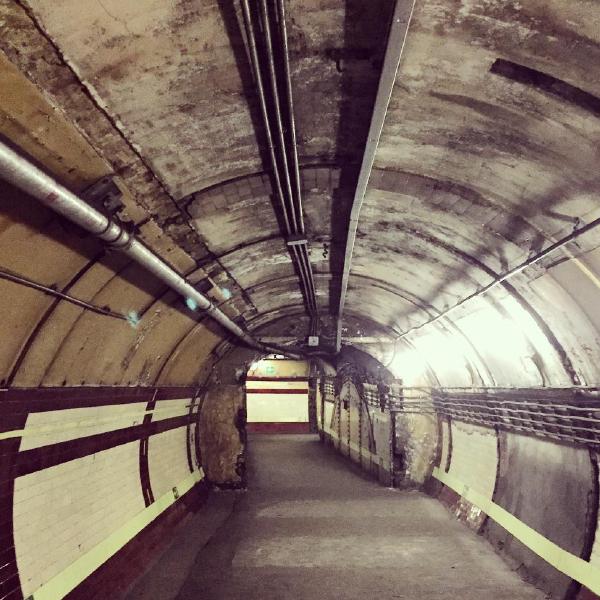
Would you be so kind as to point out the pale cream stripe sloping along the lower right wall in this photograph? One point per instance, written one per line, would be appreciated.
(567, 563)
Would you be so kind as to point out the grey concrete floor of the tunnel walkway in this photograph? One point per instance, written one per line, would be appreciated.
(310, 526)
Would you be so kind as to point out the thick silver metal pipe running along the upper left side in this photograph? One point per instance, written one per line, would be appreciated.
(22, 174)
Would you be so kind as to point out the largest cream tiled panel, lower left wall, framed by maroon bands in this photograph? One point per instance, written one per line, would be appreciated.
(62, 512)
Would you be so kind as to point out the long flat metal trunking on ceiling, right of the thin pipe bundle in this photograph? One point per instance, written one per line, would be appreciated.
(395, 46)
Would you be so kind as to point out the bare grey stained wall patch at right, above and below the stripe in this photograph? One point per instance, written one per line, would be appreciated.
(553, 489)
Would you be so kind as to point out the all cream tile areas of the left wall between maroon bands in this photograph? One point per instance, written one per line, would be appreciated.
(62, 512)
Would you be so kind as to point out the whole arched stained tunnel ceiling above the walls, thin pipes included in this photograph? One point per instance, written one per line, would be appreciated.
(466, 135)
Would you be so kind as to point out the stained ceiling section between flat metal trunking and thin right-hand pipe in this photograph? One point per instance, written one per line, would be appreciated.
(476, 169)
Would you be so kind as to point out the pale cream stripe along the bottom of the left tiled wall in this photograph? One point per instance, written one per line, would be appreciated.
(60, 585)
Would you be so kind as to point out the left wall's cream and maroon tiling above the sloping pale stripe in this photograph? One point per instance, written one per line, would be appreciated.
(72, 472)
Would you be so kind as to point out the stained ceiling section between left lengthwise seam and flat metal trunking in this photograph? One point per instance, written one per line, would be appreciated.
(174, 80)
